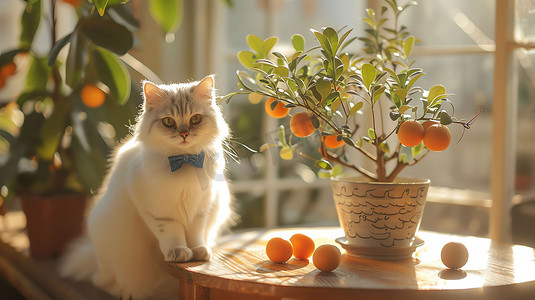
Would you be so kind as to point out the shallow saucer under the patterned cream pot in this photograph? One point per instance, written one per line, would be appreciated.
(380, 253)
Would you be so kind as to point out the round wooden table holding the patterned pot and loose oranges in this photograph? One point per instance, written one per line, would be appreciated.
(239, 269)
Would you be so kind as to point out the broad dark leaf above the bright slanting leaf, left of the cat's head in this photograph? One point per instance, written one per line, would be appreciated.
(107, 34)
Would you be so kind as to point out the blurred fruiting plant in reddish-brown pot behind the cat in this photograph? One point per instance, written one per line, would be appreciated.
(70, 112)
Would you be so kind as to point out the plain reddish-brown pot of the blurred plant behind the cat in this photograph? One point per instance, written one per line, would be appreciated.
(52, 221)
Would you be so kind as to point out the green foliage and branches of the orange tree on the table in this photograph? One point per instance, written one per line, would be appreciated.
(341, 91)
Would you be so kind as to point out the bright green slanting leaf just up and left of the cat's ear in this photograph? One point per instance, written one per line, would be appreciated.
(113, 73)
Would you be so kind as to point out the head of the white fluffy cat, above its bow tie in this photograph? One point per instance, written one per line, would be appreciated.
(181, 118)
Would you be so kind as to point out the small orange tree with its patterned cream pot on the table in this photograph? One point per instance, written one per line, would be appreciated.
(365, 104)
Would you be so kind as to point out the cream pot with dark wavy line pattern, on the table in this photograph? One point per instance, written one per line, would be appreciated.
(380, 214)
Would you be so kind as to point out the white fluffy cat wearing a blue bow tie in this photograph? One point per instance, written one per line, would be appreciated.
(155, 206)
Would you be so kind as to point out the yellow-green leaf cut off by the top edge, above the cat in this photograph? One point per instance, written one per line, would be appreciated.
(167, 13)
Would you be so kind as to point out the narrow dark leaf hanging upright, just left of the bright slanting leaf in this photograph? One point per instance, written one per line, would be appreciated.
(76, 60)
